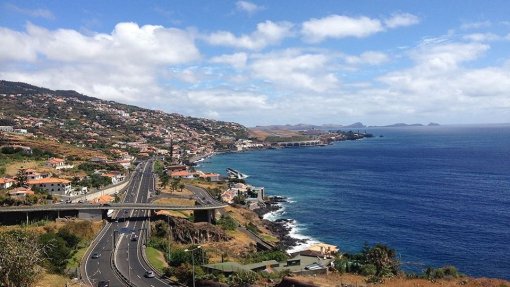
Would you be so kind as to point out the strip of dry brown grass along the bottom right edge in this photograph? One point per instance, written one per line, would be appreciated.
(335, 279)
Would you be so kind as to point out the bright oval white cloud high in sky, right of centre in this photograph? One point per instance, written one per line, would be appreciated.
(335, 26)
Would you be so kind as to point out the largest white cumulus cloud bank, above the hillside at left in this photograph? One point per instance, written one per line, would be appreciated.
(122, 65)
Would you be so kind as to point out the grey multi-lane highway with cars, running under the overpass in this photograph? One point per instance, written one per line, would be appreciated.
(127, 256)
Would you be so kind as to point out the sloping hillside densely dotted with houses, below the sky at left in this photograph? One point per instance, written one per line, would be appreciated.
(80, 120)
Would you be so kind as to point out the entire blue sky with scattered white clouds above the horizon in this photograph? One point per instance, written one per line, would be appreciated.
(271, 62)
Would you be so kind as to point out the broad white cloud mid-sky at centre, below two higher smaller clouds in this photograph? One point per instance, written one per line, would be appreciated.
(295, 70)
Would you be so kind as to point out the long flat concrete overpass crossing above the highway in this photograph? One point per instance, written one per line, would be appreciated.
(114, 206)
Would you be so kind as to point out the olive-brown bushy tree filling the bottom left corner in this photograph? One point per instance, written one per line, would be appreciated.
(20, 257)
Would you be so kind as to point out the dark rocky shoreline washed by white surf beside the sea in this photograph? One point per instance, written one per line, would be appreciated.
(281, 227)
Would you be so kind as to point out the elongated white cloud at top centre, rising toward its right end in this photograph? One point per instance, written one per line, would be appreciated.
(267, 33)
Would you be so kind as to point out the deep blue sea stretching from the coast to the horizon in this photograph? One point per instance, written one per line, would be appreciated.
(438, 195)
